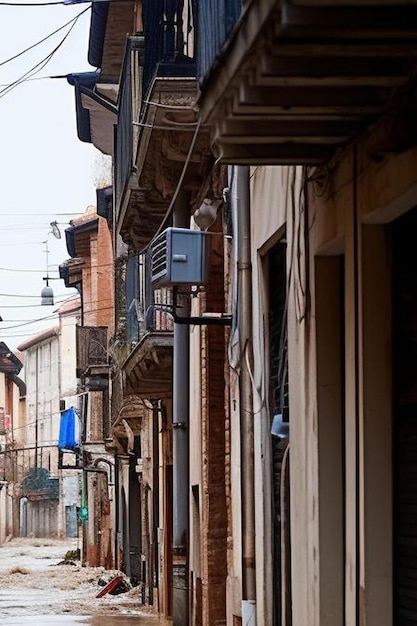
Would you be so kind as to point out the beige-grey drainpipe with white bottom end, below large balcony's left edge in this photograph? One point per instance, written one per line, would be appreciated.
(241, 227)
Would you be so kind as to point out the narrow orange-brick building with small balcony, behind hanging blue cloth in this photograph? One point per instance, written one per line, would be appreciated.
(90, 270)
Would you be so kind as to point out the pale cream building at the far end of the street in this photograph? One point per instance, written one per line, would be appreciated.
(49, 496)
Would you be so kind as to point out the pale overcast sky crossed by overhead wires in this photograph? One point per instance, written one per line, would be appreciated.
(46, 173)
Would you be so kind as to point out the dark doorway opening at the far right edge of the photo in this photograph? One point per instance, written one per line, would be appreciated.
(404, 234)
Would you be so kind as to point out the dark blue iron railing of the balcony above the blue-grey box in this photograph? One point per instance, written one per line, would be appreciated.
(165, 49)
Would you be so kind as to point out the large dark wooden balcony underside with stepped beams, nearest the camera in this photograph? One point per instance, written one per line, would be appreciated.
(297, 80)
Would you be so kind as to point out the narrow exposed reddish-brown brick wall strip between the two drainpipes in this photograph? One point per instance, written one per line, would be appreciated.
(214, 510)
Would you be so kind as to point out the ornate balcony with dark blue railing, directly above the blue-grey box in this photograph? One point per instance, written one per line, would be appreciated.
(157, 130)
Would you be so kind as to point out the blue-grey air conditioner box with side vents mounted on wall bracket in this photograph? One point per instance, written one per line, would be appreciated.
(179, 257)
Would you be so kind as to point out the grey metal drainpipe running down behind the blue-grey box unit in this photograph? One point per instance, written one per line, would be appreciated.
(180, 436)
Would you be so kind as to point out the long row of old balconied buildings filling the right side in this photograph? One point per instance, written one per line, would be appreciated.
(262, 411)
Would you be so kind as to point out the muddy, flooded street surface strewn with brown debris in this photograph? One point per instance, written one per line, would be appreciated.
(35, 588)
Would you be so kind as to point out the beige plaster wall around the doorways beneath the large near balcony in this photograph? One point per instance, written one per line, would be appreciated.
(343, 224)
